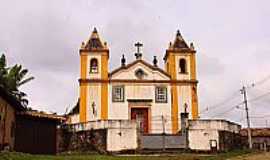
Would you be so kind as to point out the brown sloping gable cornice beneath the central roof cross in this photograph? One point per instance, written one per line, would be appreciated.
(139, 61)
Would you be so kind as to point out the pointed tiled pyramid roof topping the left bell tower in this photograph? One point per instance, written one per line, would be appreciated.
(94, 42)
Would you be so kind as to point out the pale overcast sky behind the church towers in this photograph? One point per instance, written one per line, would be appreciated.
(232, 39)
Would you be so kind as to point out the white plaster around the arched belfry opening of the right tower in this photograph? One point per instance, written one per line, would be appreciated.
(183, 76)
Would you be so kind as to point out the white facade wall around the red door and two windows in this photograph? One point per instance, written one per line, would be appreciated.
(120, 110)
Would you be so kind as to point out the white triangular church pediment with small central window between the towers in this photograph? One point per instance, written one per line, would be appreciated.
(139, 70)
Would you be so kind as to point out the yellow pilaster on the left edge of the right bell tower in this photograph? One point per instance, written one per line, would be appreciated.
(174, 110)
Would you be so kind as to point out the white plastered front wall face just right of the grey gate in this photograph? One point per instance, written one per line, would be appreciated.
(199, 139)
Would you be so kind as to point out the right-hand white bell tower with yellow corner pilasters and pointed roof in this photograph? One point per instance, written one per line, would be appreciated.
(180, 63)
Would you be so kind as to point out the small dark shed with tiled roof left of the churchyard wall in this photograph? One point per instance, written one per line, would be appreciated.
(36, 132)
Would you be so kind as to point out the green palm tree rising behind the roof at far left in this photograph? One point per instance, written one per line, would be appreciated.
(12, 78)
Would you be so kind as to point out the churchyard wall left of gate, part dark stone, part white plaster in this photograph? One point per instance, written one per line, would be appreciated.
(102, 136)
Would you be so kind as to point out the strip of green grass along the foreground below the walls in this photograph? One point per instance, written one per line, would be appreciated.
(186, 156)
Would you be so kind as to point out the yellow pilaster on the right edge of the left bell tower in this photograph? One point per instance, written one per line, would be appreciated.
(104, 87)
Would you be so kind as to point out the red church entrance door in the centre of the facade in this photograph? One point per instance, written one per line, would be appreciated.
(141, 117)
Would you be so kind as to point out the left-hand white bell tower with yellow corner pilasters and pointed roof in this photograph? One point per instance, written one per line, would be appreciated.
(94, 56)
